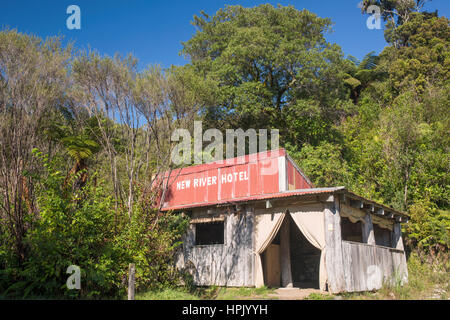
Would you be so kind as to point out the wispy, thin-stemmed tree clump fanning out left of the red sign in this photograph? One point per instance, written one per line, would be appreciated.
(136, 113)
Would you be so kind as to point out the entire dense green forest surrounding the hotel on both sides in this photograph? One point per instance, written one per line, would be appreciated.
(83, 136)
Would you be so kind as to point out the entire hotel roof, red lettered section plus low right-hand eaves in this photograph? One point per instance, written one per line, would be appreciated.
(247, 179)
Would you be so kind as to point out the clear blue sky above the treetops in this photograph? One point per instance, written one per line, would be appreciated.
(153, 31)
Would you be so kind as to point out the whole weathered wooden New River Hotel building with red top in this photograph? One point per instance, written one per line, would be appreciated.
(258, 220)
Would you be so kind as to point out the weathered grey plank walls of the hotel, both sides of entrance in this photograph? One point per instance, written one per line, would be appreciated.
(350, 266)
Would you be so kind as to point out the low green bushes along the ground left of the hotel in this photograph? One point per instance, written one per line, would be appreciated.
(79, 226)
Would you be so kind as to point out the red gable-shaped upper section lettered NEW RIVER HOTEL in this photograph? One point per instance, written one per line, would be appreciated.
(254, 175)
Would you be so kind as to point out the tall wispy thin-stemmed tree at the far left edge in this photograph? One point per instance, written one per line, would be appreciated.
(32, 84)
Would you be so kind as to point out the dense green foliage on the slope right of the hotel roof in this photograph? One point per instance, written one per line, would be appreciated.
(397, 143)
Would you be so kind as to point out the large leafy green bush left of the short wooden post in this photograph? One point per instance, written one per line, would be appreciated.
(75, 228)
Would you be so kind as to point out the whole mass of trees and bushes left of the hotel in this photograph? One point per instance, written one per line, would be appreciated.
(52, 211)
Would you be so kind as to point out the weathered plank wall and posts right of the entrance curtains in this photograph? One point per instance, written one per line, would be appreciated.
(355, 266)
